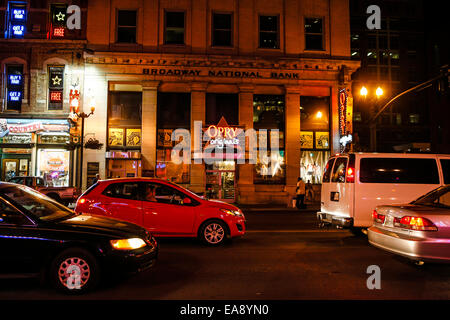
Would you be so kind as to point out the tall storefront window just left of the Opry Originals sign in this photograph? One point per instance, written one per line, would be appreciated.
(174, 111)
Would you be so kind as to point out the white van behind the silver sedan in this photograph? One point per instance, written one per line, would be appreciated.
(354, 184)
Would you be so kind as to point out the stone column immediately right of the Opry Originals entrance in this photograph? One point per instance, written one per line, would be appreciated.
(246, 188)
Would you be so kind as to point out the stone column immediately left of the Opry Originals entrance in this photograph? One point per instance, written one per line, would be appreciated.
(198, 111)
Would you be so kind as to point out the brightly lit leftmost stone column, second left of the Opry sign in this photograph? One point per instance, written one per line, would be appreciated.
(149, 108)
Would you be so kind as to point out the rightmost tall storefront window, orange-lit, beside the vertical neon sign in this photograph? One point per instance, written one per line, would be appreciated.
(314, 137)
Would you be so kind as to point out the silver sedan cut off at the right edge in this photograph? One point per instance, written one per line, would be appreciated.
(419, 230)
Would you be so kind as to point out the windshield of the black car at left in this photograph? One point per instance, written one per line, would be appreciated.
(35, 203)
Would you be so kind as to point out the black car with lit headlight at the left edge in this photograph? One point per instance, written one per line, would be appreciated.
(40, 237)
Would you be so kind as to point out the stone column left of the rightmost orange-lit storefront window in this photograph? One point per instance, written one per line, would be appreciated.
(292, 139)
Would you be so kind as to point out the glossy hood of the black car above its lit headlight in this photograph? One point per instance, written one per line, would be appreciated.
(104, 225)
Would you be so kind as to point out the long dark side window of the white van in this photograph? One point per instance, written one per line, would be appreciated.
(399, 170)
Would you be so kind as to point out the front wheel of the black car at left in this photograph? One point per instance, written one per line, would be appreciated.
(75, 271)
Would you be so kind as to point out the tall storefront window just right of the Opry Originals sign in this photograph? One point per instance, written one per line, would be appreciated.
(268, 114)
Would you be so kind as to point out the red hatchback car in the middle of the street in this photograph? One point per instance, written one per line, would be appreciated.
(163, 208)
